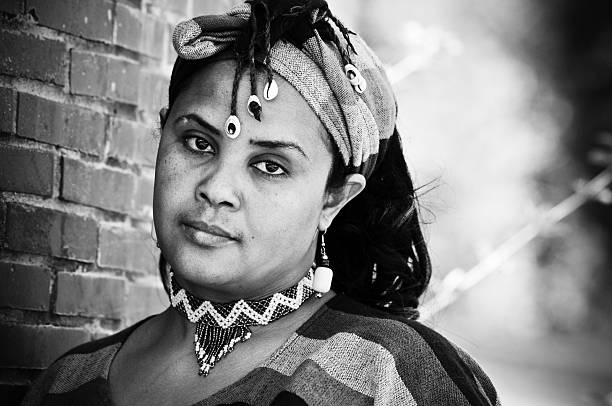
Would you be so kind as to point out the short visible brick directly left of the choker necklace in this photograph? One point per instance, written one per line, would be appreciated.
(144, 300)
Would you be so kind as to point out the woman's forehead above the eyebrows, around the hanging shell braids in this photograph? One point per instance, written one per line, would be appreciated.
(208, 95)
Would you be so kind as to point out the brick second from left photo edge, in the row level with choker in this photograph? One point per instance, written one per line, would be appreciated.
(85, 294)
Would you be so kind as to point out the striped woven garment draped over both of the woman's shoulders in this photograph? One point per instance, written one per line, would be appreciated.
(346, 354)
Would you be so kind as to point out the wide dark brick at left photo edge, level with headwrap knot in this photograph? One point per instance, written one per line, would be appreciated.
(33, 58)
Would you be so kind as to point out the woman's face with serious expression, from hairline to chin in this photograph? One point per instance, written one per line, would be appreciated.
(238, 218)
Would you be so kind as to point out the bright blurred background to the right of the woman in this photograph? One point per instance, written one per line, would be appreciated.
(502, 105)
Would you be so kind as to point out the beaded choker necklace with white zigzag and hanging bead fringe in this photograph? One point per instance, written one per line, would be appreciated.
(220, 326)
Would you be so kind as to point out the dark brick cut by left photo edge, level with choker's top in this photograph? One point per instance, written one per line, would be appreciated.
(24, 287)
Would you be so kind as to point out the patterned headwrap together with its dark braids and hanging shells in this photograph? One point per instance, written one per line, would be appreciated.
(330, 66)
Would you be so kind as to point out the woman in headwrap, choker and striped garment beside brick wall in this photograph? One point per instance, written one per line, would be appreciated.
(289, 237)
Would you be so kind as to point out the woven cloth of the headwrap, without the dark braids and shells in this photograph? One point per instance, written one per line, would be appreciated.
(359, 123)
